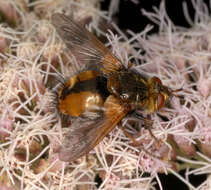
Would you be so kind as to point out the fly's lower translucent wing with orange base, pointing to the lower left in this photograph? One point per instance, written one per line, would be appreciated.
(85, 135)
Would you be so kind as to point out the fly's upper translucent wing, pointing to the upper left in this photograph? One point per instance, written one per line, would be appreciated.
(87, 49)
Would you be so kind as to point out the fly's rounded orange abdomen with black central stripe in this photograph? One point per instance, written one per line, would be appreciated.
(83, 92)
